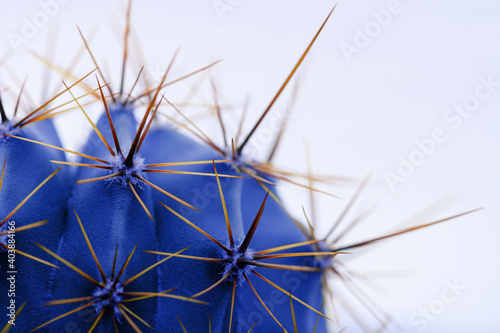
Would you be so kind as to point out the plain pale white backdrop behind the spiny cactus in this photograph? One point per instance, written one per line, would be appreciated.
(373, 85)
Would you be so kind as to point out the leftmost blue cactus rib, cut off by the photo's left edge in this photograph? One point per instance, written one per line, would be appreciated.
(28, 165)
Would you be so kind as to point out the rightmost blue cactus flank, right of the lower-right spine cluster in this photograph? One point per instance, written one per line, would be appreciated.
(277, 229)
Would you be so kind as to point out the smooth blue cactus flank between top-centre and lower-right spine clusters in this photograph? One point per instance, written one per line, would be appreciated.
(167, 145)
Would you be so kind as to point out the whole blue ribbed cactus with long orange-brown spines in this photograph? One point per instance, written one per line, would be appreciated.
(151, 230)
